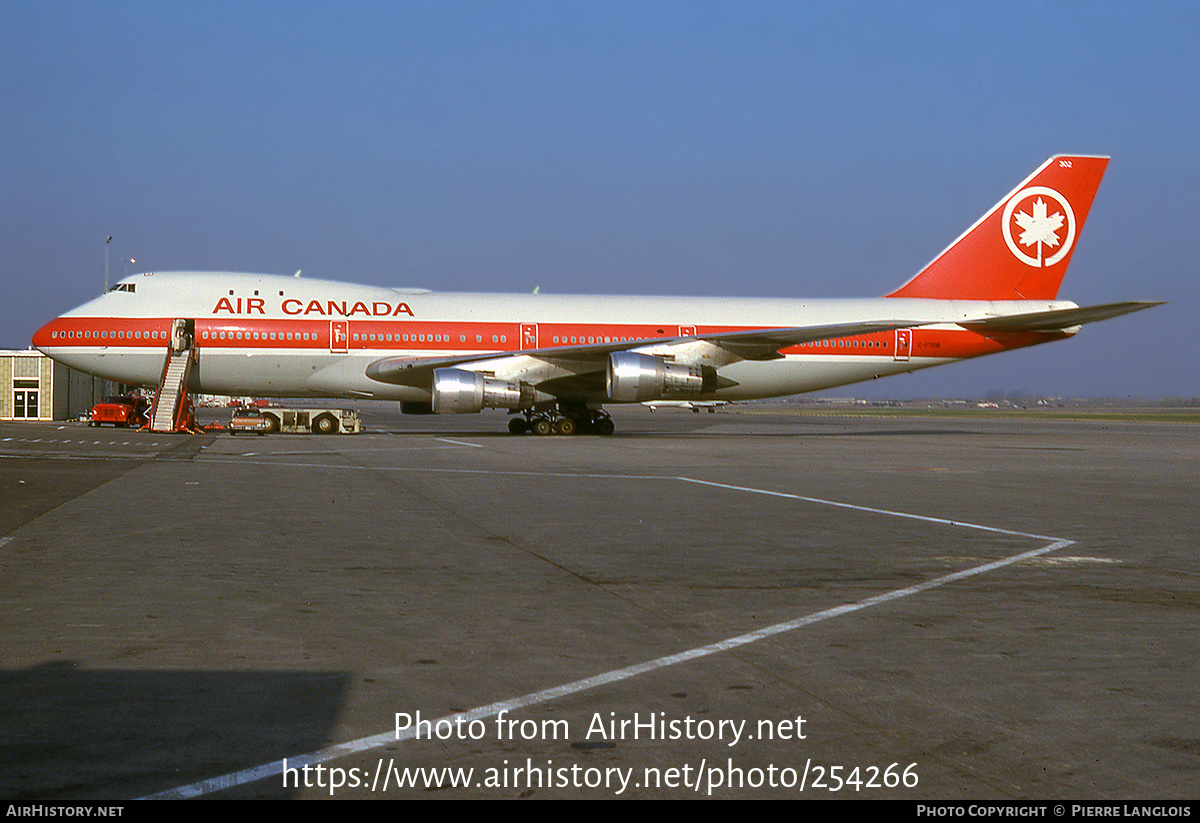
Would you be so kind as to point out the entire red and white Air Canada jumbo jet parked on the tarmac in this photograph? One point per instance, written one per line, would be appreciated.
(554, 362)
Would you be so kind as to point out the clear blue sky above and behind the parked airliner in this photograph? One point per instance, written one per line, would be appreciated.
(759, 149)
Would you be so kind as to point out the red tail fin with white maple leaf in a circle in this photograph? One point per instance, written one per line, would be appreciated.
(1019, 250)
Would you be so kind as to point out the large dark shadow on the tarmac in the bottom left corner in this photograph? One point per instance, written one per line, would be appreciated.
(74, 734)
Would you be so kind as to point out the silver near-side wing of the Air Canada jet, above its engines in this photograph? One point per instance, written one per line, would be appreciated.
(748, 345)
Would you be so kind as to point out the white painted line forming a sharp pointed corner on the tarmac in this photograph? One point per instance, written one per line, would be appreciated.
(275, 768)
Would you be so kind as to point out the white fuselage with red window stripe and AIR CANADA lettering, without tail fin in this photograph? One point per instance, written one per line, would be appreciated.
(290, 338)
